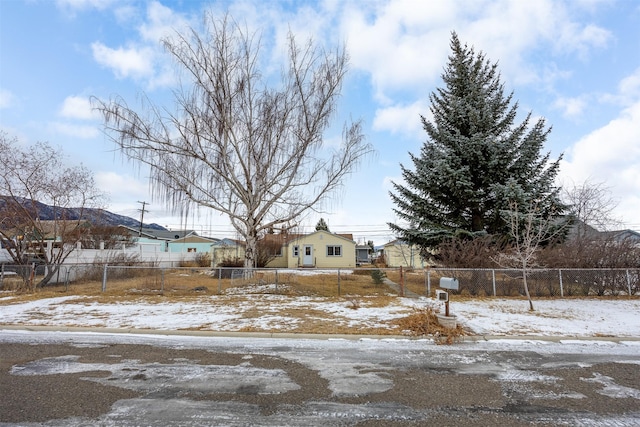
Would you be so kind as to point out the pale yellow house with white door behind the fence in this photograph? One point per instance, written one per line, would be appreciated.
(320, 249)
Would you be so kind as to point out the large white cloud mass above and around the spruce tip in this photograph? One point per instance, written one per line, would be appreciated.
(404, 44)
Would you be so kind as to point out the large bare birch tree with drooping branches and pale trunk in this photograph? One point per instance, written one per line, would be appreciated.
(236, 142)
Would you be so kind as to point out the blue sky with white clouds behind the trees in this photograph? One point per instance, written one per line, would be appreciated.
(576, 63)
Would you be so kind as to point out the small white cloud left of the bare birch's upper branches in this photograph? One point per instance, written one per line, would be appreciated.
(136, 62)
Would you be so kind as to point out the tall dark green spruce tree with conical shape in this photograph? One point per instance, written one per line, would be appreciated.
(476, 160)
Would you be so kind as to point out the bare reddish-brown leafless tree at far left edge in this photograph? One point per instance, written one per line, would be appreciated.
(33, 179)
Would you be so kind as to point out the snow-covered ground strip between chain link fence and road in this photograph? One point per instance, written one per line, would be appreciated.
(279, 313)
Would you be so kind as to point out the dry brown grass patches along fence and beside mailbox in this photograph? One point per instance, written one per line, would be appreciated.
(184, 285)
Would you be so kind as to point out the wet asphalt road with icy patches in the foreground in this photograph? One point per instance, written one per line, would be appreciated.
(87, 379)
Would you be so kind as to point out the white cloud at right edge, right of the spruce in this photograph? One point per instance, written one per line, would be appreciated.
(611, 154)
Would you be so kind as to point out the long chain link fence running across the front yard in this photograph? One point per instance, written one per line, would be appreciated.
(332, 282)
